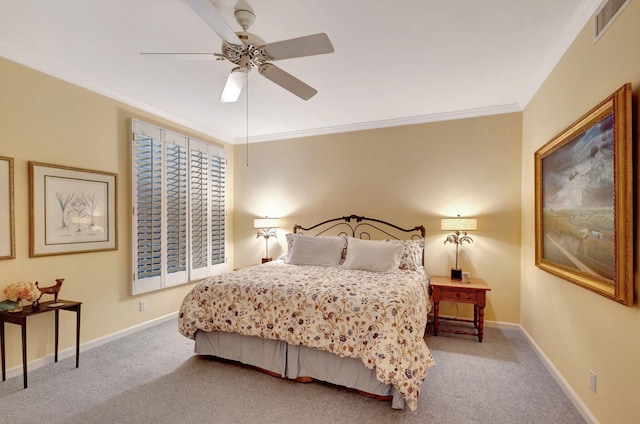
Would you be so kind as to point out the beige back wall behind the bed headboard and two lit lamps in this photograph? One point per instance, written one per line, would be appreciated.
(408, 175)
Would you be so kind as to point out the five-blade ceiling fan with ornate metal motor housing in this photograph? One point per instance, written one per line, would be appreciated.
(248, 51)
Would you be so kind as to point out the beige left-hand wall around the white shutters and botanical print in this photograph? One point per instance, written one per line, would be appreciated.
(47, 120)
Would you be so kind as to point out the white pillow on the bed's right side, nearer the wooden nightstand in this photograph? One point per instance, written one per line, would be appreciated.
(370, 255)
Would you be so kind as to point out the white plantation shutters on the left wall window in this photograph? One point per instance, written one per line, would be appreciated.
(179, 215)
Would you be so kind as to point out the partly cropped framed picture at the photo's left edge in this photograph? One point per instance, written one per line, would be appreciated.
(7, 223)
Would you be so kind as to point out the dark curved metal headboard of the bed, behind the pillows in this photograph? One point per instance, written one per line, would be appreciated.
(359, 227)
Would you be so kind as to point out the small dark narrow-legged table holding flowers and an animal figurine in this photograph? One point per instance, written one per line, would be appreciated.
(20, 318)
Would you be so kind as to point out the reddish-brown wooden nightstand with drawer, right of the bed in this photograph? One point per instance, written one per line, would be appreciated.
(445, 289)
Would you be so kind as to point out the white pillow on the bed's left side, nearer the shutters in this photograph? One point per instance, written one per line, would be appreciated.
(316, 250)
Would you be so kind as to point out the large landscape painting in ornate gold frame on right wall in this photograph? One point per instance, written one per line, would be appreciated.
(584, 201)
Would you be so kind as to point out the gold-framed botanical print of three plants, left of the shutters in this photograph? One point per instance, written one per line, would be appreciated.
(71, 210)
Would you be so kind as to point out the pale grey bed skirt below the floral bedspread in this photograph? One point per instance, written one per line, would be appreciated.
(293, 361)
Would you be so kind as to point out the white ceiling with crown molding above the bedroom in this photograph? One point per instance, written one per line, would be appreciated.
(395, 62)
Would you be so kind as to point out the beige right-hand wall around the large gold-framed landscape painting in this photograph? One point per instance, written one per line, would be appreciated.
(577, 329)
